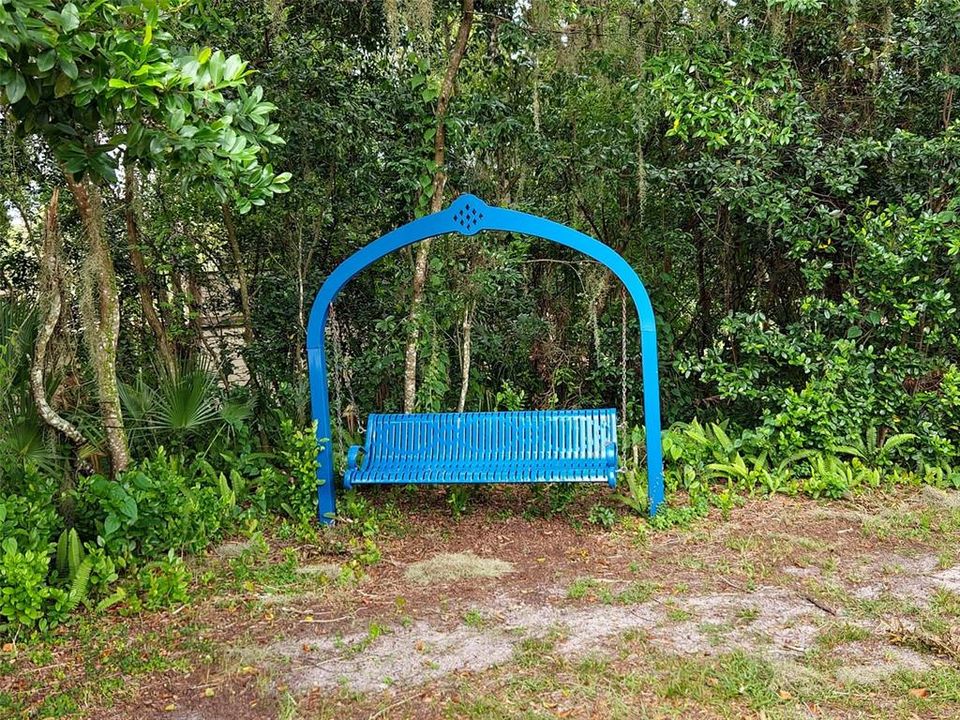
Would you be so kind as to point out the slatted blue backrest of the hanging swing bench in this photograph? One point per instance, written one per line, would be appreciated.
(492, 437)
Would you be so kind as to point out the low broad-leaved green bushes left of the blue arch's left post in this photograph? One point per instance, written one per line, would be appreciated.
(134, 528)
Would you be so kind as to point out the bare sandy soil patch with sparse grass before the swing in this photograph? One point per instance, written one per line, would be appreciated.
(812, 588)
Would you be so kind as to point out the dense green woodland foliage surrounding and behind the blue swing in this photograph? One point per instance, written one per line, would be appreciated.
(783, 176)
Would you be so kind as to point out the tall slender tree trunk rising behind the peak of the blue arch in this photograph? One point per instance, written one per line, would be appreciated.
(436, 202)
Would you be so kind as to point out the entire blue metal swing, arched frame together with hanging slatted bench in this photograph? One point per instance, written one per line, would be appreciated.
(528, 447)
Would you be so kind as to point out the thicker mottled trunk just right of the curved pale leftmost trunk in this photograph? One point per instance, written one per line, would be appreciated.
(100, 306)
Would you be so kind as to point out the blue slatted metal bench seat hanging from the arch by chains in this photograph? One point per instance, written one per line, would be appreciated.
(492, 447)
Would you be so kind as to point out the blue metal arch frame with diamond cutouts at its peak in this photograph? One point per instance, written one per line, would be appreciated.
(468, 215)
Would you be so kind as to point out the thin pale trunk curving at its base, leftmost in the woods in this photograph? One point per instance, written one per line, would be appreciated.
(50, 303)
